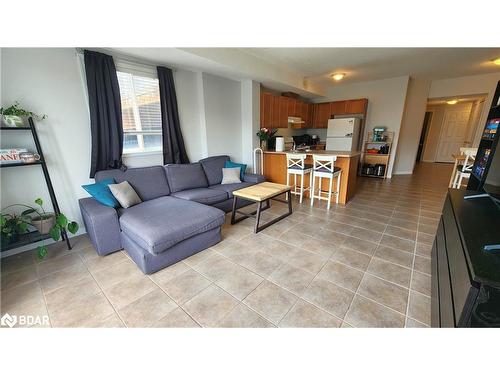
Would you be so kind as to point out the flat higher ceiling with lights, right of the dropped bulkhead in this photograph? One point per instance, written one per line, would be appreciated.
(369, 64)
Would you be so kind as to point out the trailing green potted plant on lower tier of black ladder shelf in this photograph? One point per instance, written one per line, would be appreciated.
(45, 222)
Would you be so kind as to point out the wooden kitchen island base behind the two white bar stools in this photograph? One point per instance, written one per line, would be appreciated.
(275, 170)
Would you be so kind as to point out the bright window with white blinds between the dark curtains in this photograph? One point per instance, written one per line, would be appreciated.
(141, 113)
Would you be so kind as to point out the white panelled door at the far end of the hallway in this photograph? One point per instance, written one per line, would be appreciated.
(452, 134)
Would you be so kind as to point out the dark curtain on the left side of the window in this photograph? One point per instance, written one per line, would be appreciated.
(105, 112)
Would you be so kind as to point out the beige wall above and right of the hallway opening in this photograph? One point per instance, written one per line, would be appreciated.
(468, 85)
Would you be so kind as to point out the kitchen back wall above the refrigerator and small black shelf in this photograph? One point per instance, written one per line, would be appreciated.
(386, 100)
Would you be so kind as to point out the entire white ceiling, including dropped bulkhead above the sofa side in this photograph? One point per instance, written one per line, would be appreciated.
(307, 70)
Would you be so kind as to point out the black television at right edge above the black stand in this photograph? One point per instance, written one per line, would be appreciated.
(485, 176)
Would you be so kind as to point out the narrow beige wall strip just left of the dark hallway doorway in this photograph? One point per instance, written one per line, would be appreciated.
(411, 126)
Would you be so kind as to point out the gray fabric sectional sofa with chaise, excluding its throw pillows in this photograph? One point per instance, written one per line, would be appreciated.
(181, 214)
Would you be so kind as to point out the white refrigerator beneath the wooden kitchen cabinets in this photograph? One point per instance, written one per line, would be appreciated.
(343, 134)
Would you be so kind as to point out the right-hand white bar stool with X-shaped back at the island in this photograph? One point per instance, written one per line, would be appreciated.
(324, 167)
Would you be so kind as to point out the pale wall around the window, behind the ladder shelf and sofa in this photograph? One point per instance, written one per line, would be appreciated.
(49, 81)
